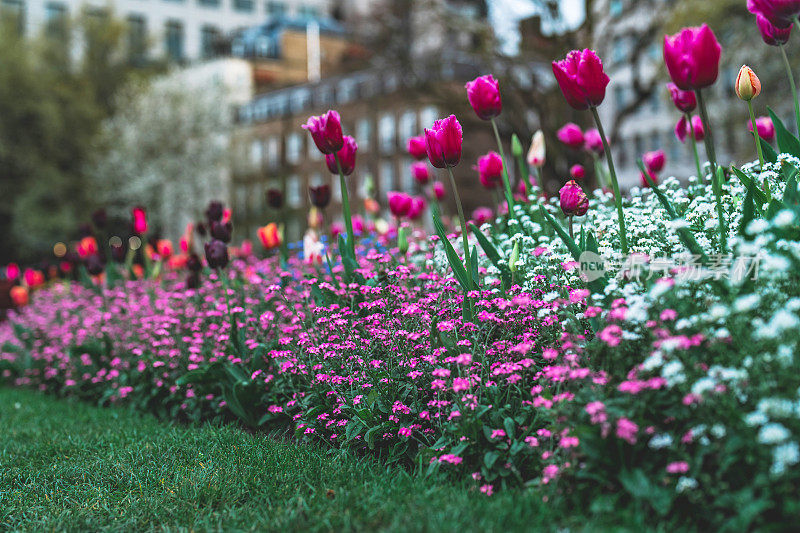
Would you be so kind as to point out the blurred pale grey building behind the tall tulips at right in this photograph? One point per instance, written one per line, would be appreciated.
(627, 36)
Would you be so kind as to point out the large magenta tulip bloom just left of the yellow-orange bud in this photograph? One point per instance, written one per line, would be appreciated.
(692, 57)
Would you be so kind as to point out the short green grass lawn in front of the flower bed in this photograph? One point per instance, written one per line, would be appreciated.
(70, 466)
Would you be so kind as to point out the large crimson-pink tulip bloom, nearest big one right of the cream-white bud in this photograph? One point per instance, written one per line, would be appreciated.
(581, 78)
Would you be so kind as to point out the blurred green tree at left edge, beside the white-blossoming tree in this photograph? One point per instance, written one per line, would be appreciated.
(54, 94)
